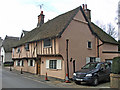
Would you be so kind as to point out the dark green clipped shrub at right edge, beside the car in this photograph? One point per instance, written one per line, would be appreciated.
(116, 65)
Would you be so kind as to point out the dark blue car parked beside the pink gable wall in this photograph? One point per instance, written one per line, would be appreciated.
(93, 73)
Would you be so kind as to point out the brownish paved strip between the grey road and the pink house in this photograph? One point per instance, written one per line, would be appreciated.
(57, 82)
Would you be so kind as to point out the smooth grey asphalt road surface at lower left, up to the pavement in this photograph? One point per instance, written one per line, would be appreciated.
(12, 80)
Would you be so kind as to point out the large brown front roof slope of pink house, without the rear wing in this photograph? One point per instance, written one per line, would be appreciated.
(52, 28)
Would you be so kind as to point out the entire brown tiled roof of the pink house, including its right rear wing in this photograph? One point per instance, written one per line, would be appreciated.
(55, 27)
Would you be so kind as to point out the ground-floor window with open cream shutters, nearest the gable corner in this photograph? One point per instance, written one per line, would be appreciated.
(53, 64)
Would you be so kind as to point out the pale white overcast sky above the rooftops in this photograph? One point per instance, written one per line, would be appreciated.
(18, 15)
